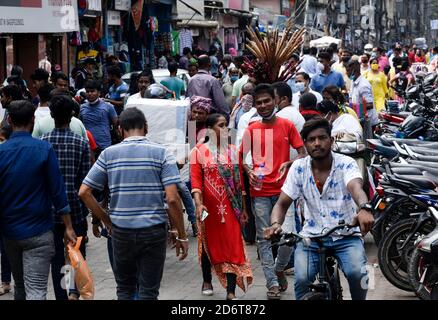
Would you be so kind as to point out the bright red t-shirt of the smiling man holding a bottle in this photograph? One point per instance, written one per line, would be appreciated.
(270, 144)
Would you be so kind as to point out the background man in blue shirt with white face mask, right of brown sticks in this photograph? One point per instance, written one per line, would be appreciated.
(327, 77)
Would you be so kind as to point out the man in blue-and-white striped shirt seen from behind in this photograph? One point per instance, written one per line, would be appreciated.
(139, 174)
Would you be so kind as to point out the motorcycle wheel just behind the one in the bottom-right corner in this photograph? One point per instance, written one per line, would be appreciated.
(393, 260)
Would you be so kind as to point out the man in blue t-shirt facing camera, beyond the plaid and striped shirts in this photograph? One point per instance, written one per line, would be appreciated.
(98, 116)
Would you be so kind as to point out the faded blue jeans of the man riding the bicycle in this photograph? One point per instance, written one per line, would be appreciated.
(350, 254)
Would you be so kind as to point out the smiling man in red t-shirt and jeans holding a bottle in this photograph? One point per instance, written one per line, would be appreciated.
(269, 141)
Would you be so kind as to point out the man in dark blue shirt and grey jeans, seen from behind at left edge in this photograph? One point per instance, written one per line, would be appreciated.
(30, 184)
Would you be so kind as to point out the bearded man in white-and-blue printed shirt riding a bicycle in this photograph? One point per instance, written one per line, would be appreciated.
(331, 186)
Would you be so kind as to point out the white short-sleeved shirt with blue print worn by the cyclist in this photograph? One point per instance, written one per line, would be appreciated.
(324, 210)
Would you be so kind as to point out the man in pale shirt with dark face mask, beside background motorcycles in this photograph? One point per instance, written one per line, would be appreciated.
(361, 91)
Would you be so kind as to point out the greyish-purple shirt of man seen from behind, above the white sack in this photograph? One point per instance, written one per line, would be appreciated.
(205, 85)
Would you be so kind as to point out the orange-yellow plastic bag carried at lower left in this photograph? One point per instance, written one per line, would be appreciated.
(83, 279)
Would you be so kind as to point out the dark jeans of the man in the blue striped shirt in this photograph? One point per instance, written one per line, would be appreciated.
(139, 256)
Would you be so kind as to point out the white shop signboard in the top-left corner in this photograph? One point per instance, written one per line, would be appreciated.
(38, 16)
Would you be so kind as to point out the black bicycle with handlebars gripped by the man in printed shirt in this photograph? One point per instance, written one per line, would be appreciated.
(328, 285)
